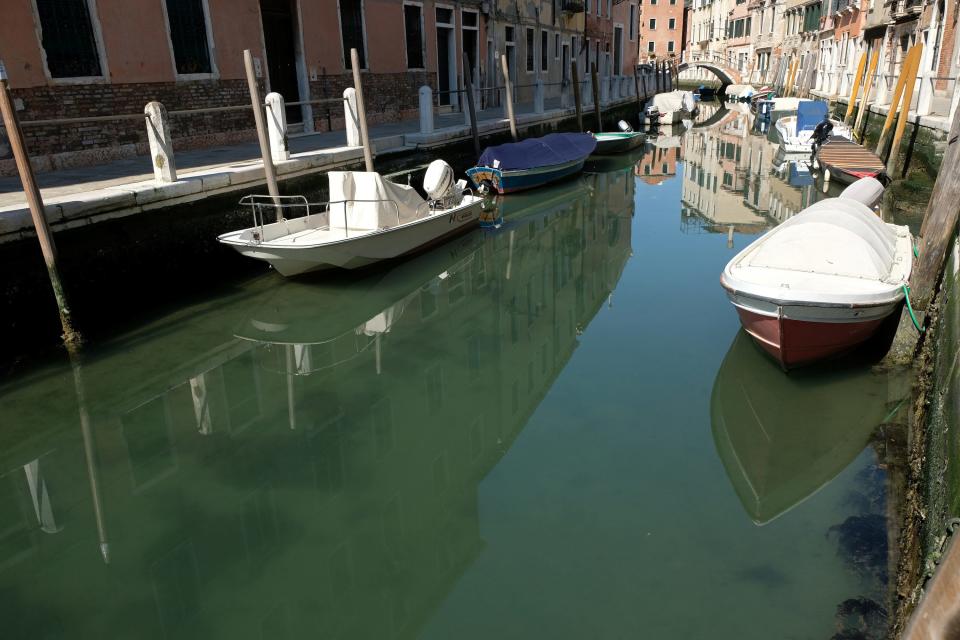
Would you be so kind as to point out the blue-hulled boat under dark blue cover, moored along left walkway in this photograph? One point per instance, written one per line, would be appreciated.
(531, 163)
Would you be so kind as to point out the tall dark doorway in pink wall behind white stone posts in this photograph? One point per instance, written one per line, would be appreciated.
(279, 35)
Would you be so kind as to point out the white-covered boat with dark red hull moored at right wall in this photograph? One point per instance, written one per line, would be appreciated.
(822, 282)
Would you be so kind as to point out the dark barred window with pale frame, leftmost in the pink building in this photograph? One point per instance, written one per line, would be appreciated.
(68, 38)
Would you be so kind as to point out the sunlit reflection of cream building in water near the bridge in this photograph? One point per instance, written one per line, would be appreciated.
(726, 173)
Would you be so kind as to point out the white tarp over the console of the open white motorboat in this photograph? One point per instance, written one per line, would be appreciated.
(371, 202)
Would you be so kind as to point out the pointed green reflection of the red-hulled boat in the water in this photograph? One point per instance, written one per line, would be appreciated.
(781, 438)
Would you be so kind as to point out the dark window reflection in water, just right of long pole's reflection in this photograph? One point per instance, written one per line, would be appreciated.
(146, 431)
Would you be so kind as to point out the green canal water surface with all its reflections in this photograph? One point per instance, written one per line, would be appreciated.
(554, 429)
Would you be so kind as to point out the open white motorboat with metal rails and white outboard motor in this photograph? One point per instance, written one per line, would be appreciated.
(368, 219)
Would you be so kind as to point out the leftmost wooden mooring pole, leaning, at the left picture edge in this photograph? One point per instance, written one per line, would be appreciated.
(37, 211)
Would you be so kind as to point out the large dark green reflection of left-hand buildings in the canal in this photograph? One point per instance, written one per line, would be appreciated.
(259, 488)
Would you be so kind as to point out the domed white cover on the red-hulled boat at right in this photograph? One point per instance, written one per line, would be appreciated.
(836, 236)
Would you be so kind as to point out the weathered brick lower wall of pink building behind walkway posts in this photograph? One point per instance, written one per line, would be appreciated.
(390, 97)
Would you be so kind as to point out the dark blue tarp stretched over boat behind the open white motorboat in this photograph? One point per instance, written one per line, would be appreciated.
(554, 148)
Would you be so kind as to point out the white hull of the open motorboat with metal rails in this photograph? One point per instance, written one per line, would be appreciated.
(362, 250)
